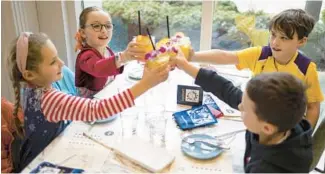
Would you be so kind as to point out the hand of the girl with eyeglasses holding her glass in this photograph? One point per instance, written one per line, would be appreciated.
(133, 52)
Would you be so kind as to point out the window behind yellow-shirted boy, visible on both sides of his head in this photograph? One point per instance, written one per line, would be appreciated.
(239, 24)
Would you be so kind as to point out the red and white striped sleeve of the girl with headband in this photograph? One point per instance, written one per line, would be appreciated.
(57, 106)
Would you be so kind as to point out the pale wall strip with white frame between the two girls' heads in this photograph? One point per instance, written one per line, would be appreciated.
(58, 20)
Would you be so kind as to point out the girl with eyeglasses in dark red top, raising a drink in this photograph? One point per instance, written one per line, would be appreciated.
(97, 64)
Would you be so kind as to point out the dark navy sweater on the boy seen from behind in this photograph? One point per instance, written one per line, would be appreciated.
(293, 155)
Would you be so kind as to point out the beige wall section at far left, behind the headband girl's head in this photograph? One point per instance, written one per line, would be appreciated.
(14, 19)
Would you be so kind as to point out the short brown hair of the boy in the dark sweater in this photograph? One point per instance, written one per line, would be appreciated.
(279, 99)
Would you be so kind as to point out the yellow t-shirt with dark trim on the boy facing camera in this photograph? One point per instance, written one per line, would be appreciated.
(249, 58)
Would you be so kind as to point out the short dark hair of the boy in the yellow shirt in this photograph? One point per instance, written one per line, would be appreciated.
(293, 21)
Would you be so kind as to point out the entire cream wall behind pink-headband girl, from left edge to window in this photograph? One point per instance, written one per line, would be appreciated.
(58, 19)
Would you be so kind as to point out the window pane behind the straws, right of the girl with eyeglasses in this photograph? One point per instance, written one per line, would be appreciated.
(184, 16)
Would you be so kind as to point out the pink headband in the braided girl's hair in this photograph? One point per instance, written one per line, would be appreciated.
(22, 51)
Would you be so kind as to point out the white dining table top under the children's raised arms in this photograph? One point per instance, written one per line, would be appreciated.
(151, 120)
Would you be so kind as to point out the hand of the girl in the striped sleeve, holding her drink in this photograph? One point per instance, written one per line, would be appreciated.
(152, 77)
